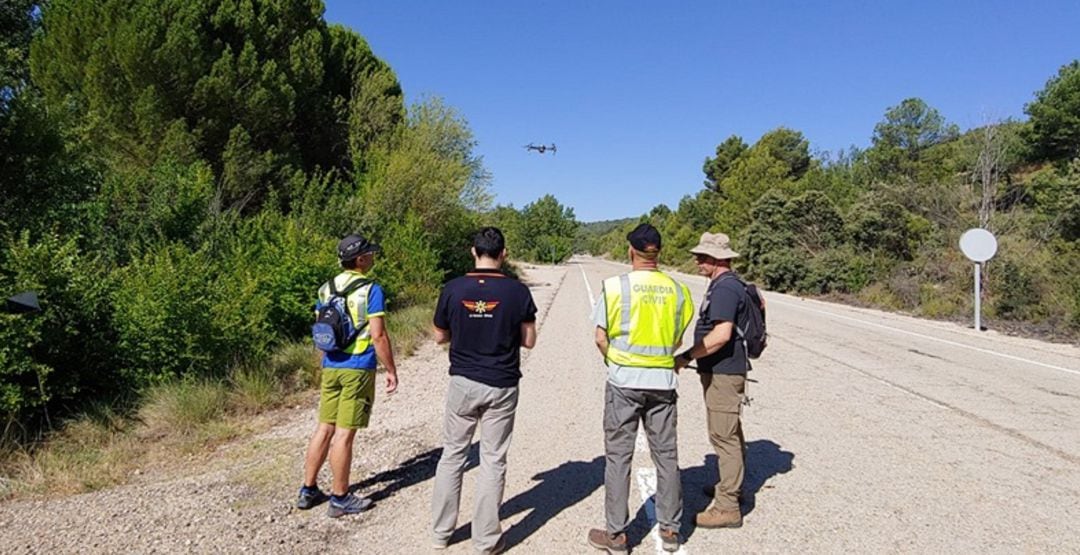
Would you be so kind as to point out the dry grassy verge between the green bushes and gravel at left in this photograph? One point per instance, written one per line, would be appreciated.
(102, 448)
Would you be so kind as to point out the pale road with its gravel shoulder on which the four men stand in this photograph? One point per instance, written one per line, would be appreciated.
(869, 432)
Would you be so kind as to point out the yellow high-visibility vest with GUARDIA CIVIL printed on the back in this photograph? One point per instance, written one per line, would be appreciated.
(647, 314)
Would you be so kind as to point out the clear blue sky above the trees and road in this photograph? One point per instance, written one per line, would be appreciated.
(637, 94)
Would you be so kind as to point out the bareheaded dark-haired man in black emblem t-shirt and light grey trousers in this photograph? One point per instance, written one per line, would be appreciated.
(488, 318)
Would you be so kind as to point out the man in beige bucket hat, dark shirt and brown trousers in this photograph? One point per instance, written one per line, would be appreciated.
(722, 366)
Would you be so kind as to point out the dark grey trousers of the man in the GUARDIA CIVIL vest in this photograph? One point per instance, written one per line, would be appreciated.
(659, 412)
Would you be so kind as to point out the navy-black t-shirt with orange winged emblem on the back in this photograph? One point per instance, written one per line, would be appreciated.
(484, 312)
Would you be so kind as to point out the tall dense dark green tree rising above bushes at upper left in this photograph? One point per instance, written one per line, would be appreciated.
(260, 88)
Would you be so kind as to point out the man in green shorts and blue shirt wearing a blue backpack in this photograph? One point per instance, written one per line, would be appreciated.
(348, 381)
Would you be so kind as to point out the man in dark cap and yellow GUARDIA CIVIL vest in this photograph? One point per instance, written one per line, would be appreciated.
(640, 320)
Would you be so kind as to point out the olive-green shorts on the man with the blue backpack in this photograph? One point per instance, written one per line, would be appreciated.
(347, 398)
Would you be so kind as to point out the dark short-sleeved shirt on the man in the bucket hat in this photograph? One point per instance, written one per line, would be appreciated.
(723, 303)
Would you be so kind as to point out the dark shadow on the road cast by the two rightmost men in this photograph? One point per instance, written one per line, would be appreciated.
(765, 459)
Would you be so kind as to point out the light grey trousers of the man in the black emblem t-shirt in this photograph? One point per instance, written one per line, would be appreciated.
(469, 403)
